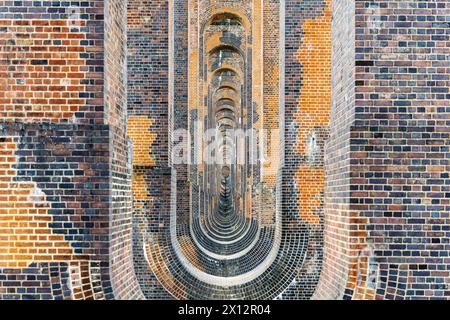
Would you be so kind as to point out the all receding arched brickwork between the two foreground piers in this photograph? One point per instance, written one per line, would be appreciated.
(234, 73)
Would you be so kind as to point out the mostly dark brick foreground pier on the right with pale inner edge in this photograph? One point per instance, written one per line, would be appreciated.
(390, 240)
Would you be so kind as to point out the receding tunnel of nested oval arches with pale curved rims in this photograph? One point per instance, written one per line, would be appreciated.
(231, 231)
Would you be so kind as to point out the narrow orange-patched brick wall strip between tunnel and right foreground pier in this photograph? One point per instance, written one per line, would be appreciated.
(306, 114)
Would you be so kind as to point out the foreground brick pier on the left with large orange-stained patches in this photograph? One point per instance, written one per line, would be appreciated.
(65, 190)
